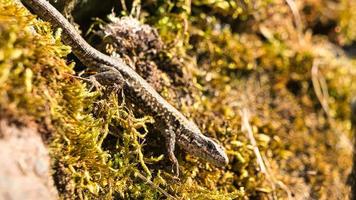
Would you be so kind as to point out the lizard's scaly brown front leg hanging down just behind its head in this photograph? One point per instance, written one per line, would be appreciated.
(170, 137)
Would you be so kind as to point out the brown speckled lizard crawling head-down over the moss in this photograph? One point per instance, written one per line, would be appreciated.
(177, 128)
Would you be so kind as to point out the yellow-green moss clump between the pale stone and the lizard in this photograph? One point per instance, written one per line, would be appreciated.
(38, 83)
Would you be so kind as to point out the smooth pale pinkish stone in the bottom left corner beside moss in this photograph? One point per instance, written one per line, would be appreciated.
(25, 165)
